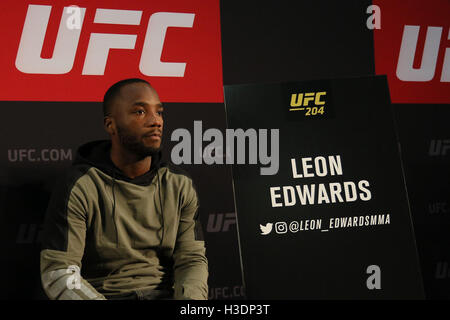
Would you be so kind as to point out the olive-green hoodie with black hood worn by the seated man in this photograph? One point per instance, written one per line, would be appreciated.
(123, 234)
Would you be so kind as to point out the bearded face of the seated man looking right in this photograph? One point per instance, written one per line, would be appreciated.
(139, 122)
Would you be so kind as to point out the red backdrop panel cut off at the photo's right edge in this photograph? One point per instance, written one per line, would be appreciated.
(395, 15)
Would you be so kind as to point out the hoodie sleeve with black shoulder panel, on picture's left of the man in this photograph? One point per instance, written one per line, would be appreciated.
(63, 245)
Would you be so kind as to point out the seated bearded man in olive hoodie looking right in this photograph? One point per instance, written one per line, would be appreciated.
(126, 220)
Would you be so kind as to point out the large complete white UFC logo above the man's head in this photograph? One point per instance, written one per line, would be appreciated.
(29, 59)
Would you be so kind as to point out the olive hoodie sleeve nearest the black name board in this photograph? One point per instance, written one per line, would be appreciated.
(190, 263)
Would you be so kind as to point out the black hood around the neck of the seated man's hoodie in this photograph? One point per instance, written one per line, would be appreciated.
(97, 154)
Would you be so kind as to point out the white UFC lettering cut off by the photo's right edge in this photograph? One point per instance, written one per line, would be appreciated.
(405, 70)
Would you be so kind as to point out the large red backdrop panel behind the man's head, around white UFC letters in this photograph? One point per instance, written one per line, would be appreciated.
(198, 46)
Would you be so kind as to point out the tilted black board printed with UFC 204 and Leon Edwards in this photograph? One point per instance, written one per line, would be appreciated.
(331, 220)
